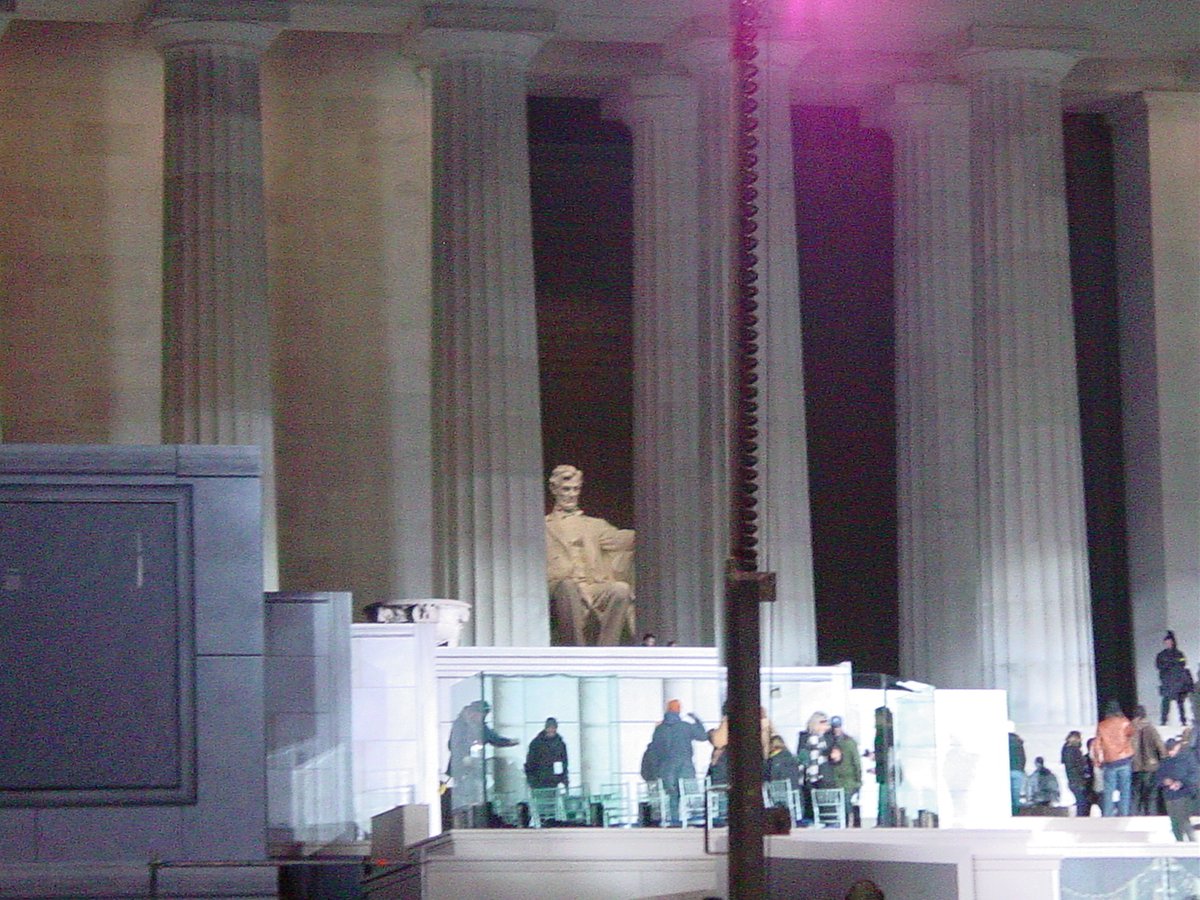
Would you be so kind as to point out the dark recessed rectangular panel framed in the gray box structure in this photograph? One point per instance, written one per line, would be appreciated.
(95, 645)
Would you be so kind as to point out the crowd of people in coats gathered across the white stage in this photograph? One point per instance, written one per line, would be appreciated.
(1125, 769)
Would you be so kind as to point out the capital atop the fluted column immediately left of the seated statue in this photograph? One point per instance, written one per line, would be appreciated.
(485, 33)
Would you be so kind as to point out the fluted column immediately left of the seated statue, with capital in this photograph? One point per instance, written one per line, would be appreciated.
(489, 483)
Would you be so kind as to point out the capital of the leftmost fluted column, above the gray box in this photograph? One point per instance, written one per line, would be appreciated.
(249, 26)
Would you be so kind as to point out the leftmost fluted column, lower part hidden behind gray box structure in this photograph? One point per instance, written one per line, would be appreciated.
(217, 335)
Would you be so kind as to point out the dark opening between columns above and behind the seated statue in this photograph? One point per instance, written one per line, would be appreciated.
(581, 181)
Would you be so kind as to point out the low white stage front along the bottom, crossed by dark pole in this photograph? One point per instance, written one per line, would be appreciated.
(1021, 860)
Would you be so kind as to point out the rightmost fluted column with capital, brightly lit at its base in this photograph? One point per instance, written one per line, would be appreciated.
(1036, 625)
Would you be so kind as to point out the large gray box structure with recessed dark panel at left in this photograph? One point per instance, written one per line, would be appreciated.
(131, 655)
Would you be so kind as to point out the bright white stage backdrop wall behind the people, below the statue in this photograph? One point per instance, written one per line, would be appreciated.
(952, 745)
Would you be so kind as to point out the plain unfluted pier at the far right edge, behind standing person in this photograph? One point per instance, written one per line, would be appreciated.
(1157, 175)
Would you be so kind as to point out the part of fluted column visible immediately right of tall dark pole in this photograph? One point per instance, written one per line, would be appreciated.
(784, 525)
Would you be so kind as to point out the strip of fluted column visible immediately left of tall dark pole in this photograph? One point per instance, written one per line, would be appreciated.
(706, 52)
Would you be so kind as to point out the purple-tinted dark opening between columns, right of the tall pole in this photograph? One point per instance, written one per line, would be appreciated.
(844, 231)
